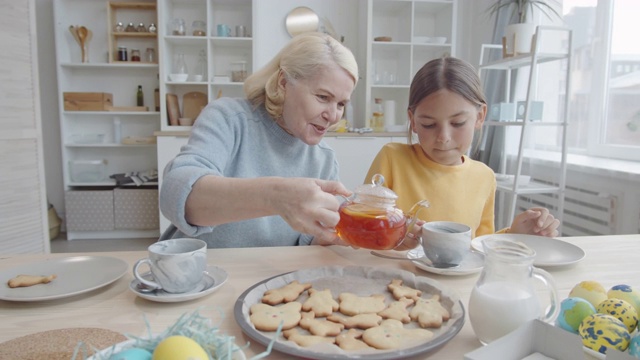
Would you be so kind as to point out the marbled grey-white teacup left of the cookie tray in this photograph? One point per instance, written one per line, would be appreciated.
(177, 265)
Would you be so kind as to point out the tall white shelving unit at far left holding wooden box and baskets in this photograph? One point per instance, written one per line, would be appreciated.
(102, 75)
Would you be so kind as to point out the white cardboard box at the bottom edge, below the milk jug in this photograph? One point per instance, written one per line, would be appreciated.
(538, 337)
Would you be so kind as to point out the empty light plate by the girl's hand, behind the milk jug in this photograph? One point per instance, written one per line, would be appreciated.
(550, 252)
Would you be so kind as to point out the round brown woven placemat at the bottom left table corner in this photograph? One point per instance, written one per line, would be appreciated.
(58, 344)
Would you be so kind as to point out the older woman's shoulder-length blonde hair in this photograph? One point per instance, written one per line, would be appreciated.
(302, 58)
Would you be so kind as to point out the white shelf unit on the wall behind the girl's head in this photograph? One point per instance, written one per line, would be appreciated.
(420, 31)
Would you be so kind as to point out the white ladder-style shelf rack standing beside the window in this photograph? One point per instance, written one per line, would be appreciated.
(552, 46)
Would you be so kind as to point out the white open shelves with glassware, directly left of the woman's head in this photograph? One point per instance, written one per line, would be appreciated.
(220, 52)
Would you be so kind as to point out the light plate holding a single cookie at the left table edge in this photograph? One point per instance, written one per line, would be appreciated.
(75, 275)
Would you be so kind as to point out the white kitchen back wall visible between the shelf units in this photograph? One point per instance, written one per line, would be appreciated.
(474, 28)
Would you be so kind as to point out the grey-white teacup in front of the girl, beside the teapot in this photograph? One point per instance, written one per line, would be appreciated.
(446, 243)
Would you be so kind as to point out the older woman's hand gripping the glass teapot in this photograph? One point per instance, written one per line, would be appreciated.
(310, 207)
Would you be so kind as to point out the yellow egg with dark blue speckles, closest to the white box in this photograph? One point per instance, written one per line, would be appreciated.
(600, 332)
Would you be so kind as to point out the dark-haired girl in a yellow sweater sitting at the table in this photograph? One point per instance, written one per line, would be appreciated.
(446, 106)
